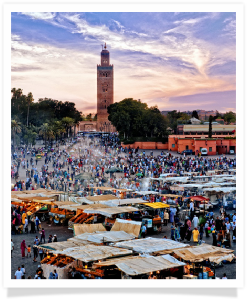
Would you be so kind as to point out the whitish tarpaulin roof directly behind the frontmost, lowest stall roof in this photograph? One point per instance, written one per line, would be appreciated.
(149, 245)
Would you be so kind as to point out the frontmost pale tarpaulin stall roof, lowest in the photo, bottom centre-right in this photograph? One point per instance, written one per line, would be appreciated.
(145, 265)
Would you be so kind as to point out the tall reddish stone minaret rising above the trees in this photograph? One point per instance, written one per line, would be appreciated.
(104, 90)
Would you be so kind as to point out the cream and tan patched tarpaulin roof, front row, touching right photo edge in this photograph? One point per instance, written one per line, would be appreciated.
(204, 252)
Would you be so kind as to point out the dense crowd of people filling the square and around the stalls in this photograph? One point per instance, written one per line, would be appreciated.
(59, 168)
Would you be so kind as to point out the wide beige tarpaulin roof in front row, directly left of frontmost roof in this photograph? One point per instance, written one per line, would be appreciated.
(91, 253)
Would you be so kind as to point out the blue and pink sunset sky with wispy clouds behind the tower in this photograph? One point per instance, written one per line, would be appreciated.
(176, 60)
